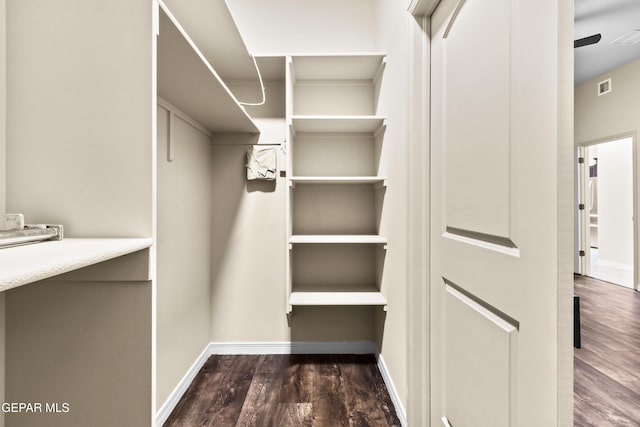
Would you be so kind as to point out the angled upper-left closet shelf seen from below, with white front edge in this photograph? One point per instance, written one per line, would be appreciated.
(189, 82)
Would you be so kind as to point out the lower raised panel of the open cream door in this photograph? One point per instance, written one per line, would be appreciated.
(480, 357)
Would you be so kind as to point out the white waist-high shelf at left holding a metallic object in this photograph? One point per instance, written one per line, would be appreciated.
(29, 263)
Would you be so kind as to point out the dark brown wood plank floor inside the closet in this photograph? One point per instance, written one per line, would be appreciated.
(286, 390)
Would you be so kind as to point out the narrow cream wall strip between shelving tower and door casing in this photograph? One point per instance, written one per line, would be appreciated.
(392, 20)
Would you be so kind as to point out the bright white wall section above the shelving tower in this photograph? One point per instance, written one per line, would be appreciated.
(305, 26)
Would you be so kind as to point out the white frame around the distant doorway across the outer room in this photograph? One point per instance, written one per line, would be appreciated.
(584, 222)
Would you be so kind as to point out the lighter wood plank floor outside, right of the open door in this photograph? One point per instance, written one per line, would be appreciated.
(607, 367)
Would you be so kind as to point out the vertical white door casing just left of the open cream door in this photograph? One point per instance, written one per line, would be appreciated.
(417, 301)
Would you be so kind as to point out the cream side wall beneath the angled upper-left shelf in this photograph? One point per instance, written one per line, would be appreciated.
(183, 245)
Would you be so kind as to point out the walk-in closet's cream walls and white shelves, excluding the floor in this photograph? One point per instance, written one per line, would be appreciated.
(130, 124)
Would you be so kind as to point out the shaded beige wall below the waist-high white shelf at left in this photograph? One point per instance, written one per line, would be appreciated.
(84, 343)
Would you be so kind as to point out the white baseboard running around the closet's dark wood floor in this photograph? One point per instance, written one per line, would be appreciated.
(319, 347)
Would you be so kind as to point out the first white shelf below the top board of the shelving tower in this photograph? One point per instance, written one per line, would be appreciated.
(337, 124)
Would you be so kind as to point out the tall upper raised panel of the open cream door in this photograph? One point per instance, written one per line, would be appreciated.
(480, 171)
